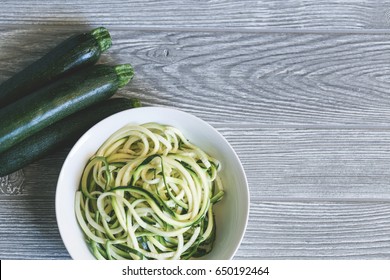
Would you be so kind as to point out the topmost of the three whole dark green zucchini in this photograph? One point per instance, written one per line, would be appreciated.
(74, 53)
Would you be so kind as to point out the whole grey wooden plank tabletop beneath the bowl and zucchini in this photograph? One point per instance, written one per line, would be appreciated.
(301, 90)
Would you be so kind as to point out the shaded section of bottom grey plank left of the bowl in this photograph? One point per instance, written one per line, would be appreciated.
(28, 229)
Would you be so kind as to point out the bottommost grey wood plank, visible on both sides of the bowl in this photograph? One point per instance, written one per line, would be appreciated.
(276, 230)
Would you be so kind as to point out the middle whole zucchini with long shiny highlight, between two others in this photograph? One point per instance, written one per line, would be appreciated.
(62, 98)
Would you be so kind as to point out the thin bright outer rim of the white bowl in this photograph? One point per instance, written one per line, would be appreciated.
(147, 109)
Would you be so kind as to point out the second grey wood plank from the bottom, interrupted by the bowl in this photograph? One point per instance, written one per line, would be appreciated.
(282, 164)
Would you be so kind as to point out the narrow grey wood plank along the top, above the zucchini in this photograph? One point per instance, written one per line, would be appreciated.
(291, 14)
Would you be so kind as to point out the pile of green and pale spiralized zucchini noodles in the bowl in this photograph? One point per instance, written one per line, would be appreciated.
(148, 193)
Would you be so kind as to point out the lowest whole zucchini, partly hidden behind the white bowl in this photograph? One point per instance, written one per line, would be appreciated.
(62, 133)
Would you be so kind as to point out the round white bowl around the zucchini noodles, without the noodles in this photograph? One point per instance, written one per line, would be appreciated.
(231, 212)
